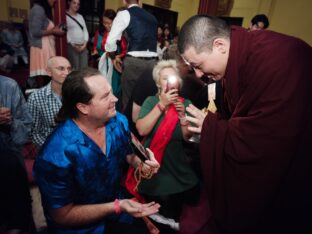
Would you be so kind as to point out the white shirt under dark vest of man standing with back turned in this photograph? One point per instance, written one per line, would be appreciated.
(120, 23)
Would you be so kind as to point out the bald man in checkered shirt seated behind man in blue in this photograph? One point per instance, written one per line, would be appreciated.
(45, 103)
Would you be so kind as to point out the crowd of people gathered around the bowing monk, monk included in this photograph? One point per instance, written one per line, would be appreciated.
(223, 118)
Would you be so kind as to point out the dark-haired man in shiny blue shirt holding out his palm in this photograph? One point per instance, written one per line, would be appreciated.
(79, 168)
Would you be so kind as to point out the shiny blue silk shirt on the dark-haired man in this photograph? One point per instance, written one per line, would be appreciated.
(71, 168)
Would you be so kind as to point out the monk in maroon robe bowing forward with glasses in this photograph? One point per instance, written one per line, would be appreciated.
(256, 154)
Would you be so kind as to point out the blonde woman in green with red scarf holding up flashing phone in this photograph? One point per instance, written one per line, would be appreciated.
(163, 123)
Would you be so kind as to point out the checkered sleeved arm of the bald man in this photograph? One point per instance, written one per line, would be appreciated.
(36, 137)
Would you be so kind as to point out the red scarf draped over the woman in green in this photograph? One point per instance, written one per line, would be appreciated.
(158, 146)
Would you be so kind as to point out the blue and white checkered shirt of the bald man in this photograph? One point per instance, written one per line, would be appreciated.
(43, 106)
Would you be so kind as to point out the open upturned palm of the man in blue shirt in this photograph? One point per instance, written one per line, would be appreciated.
(137, 209)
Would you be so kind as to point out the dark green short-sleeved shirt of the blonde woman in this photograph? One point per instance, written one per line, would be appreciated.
(175, 174)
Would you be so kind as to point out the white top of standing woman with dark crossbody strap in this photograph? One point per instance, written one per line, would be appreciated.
(74, 33)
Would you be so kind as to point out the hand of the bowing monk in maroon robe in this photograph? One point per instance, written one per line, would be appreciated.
(197, 118)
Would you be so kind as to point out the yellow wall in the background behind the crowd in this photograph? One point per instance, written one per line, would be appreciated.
(286, 16)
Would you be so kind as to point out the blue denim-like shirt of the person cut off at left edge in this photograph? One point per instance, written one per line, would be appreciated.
(17, 133)
